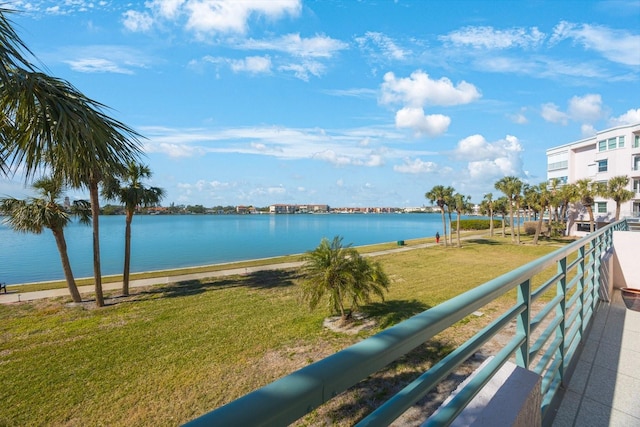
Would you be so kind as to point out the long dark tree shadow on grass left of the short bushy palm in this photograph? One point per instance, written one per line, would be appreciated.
(265, 279)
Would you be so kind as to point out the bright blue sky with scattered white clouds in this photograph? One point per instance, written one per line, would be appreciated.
(346, 103)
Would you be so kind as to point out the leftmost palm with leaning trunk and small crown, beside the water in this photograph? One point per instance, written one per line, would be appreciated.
(35, 214)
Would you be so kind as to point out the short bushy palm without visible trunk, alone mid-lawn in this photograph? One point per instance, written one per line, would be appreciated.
(341, 274)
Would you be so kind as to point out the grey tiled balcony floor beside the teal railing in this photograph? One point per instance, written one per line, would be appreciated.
(604, 388)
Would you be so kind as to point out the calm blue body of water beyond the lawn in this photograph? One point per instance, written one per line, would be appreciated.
(166, 241)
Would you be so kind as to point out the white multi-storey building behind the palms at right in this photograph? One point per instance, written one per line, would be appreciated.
(609, 153)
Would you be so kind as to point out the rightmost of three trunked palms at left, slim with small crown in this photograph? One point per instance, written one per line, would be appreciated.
(132, 193)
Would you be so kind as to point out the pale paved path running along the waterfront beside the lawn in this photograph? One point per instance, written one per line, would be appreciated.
(13, 295)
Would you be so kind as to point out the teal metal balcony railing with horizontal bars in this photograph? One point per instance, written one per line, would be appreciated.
(551, 319)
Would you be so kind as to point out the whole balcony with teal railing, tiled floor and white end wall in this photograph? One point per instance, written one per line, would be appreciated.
(567, 329)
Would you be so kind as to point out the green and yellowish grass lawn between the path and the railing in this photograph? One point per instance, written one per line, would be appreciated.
(169, 353)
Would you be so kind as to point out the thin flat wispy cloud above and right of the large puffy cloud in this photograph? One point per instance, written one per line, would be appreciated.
(491, 38)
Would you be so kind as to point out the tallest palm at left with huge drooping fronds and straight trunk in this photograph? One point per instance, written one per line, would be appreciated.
(46, 122)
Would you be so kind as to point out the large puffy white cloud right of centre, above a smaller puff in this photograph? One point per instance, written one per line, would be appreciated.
(419, 90)
